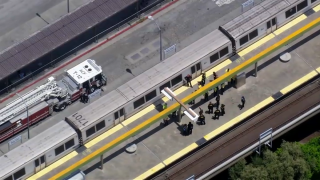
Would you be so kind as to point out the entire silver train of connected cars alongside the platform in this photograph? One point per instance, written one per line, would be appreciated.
(143, 90)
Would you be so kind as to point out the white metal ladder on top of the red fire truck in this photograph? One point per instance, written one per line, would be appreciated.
(30, 99)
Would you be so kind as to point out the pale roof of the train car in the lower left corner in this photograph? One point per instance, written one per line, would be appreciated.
(28, 151)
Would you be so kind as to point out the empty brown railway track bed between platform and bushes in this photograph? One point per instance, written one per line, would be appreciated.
(241, 137)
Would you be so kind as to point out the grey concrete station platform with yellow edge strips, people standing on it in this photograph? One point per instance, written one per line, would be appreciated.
(158, 145)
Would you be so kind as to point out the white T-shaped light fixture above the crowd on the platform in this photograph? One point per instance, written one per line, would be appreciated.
(188, 111)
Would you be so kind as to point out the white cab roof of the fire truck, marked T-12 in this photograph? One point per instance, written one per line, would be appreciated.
(84, 71)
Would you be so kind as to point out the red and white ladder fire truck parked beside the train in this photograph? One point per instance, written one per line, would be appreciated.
(53, 95)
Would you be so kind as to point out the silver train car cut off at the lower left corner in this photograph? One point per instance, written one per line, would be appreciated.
(39, 152)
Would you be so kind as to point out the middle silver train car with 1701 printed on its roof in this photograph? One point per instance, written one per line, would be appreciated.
(145, 89)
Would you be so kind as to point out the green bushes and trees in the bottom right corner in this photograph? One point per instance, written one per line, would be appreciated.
(292, 161)
